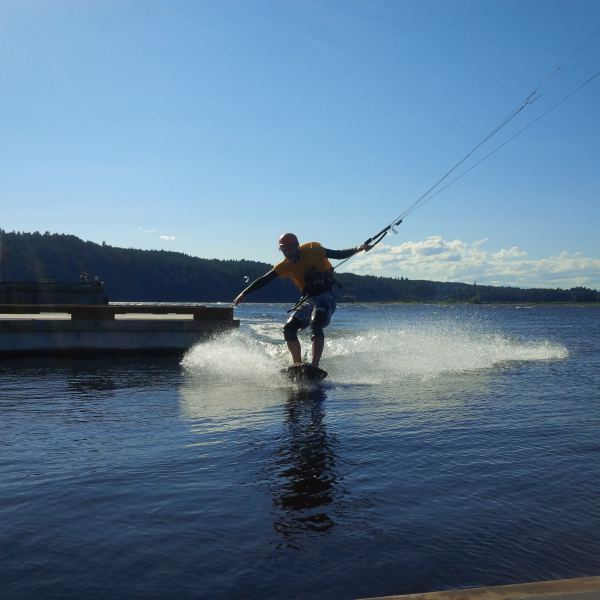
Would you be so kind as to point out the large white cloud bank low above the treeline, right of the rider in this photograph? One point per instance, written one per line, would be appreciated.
(454, 260)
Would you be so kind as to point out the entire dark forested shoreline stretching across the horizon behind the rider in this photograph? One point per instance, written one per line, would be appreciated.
(163, 276)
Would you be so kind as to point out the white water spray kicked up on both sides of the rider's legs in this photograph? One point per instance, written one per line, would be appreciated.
(256, 354)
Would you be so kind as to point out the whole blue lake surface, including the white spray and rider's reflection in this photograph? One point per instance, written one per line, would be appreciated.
(451, 446)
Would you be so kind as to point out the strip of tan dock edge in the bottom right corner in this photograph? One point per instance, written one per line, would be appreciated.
(584, 588)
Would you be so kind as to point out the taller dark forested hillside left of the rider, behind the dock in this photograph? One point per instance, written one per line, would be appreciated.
(129, 274)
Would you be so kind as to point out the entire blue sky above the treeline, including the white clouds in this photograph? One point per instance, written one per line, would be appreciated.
(212, 127)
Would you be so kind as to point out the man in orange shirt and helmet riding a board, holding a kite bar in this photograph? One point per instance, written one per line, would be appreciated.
(307, 266)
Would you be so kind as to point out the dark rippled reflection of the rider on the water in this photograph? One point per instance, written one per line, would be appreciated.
(307, 479)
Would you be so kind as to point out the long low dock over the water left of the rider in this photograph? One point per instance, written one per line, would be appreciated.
(93, 329)
